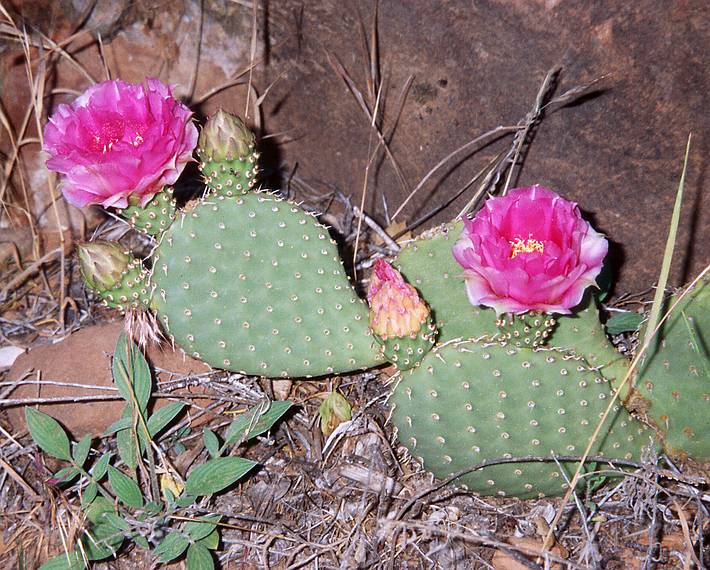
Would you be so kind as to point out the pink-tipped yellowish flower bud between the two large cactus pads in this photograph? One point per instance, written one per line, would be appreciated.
(396, 310)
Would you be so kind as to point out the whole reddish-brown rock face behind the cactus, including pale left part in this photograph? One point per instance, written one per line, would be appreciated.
(475, 65)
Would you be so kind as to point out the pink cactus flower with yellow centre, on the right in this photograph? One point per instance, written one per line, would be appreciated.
(529, 251)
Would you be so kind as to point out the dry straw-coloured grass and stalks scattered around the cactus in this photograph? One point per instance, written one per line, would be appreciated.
(354, 500)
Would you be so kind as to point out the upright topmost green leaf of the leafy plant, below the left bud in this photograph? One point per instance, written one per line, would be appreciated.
(131, 373)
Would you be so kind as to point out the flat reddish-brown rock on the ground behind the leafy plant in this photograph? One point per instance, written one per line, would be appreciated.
(84, 358)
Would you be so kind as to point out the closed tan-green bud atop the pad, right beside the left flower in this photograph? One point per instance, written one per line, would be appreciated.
(225, 137)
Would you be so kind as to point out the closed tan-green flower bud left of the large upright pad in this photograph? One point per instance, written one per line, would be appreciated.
(102, 263)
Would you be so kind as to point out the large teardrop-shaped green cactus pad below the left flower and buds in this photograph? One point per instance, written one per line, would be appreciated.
(254, 284)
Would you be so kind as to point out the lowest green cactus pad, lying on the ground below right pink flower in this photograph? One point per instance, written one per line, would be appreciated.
(469, 402)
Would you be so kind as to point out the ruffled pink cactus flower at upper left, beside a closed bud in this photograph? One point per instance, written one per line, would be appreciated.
(119, 141)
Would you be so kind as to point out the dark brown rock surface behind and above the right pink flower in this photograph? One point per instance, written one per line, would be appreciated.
(477, 65)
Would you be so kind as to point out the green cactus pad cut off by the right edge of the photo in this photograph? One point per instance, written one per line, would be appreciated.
(674, 377)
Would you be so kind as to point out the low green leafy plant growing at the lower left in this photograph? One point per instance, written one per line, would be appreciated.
(123, 497)
